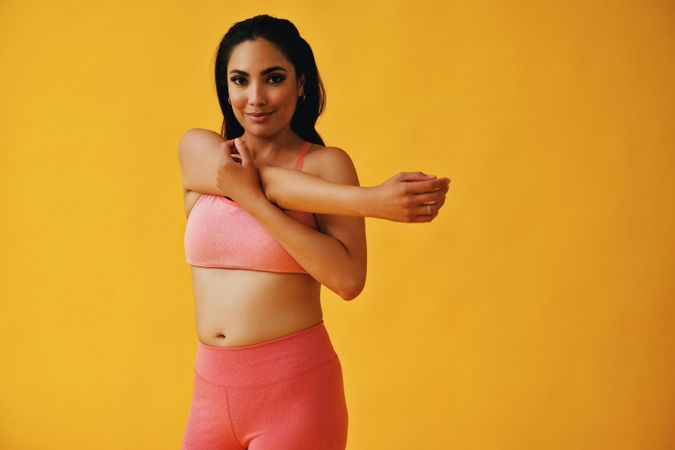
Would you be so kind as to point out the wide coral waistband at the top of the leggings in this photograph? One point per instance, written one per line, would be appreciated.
(266, 362)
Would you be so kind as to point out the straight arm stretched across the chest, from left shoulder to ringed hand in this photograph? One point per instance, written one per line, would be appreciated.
(201, 155)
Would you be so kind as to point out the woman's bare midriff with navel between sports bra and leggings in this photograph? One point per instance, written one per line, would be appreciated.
(236, 307)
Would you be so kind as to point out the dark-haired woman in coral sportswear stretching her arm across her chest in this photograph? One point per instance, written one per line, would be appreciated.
(266, 373)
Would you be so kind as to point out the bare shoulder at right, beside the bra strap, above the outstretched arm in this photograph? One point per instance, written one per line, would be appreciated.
(332, 164)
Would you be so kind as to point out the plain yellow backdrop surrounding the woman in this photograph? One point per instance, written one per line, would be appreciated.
(536, 312)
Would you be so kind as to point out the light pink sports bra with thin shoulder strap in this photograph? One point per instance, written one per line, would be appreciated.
(219, 233)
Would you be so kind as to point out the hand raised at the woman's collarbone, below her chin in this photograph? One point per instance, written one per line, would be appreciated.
(240, 180)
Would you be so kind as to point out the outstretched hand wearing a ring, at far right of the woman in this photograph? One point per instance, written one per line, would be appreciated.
(402, 197)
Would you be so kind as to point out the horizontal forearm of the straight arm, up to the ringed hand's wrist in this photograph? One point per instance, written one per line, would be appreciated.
(301, 191)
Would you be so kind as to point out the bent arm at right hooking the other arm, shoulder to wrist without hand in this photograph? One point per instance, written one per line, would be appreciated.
(336, 256)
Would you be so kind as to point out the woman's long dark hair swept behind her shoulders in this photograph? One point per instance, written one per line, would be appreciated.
(285, 36)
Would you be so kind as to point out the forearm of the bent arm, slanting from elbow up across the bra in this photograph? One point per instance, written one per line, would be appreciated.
(321, 255)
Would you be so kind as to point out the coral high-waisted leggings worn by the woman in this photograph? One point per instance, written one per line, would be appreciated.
(283, 394)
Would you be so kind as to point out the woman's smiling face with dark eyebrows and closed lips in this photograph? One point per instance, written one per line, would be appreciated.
(261, 80)
